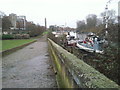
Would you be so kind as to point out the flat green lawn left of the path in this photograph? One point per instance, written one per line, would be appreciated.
(8, 44)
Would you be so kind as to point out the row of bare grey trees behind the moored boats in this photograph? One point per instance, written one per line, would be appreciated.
(92, 21)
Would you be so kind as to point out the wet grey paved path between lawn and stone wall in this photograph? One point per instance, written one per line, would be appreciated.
(29, 67)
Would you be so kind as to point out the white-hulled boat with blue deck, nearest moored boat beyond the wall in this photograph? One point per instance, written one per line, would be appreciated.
(90, 44)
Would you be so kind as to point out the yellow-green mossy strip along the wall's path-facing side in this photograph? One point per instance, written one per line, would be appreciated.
(62, 78)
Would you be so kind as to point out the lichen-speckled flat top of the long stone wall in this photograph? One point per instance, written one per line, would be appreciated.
(92, 78)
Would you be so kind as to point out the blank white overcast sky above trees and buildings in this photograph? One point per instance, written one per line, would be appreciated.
(57, 12)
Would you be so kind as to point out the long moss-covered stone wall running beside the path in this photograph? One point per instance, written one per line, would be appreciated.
(72, 72)
